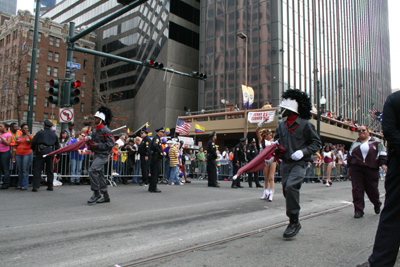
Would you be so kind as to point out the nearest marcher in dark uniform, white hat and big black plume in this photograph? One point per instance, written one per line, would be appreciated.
(300, 140)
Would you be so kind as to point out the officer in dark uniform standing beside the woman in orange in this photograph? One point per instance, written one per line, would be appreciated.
(44, 142)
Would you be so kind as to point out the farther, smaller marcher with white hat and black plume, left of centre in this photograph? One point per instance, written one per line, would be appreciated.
(103, 142)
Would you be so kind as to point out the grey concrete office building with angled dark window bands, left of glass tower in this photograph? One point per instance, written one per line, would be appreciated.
(165, 31)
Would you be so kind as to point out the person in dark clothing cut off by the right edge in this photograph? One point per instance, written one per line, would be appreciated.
(387, 239)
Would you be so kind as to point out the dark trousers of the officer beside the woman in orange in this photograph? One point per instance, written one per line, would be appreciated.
(38, 167)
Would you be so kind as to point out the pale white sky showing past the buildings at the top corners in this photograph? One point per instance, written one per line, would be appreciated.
(394, 22)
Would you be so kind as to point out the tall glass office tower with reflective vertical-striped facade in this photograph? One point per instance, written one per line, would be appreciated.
(342, 44)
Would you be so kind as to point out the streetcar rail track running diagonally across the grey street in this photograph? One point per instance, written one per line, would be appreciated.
(228, 239)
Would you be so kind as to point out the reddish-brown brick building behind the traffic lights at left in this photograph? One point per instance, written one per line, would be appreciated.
(16, 39)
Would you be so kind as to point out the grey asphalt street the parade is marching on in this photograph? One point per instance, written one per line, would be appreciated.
(60, 229)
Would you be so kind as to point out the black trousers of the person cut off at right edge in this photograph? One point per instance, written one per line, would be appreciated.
(387, 239)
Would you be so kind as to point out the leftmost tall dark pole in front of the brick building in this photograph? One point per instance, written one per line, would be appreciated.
(33, 67)
